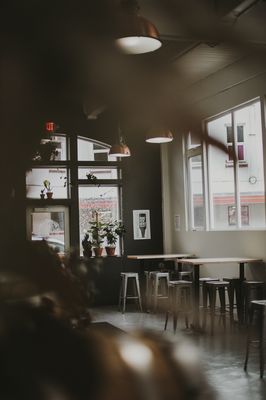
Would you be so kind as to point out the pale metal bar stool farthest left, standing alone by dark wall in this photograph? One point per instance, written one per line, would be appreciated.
(123, 295)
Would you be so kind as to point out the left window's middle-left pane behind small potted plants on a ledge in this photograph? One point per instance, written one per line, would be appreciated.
(56, 176)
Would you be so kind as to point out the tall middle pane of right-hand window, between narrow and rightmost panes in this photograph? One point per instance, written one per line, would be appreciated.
(221, 175)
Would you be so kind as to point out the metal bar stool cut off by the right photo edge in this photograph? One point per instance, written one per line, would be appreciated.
(256, 306)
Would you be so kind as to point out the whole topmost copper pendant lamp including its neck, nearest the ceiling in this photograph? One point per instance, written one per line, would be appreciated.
(137, 35)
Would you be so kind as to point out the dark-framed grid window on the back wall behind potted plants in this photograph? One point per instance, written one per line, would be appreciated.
(83, 197)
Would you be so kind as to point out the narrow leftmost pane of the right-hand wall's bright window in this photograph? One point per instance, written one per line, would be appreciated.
(196, 184)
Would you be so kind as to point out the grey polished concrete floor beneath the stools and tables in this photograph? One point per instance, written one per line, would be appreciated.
(222, 354)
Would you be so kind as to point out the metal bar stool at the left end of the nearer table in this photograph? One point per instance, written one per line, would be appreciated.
(180, 293)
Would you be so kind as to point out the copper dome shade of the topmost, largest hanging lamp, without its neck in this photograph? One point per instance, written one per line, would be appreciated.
(140, 36)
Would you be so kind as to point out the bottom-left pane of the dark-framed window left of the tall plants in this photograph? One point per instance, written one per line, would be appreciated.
(49, 224)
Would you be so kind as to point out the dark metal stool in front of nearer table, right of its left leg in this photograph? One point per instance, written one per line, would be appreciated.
(212, 288)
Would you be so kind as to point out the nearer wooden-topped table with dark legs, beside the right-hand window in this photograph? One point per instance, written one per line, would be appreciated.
(197, 262)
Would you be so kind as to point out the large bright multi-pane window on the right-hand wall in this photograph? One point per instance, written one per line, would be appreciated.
(234, 197)
